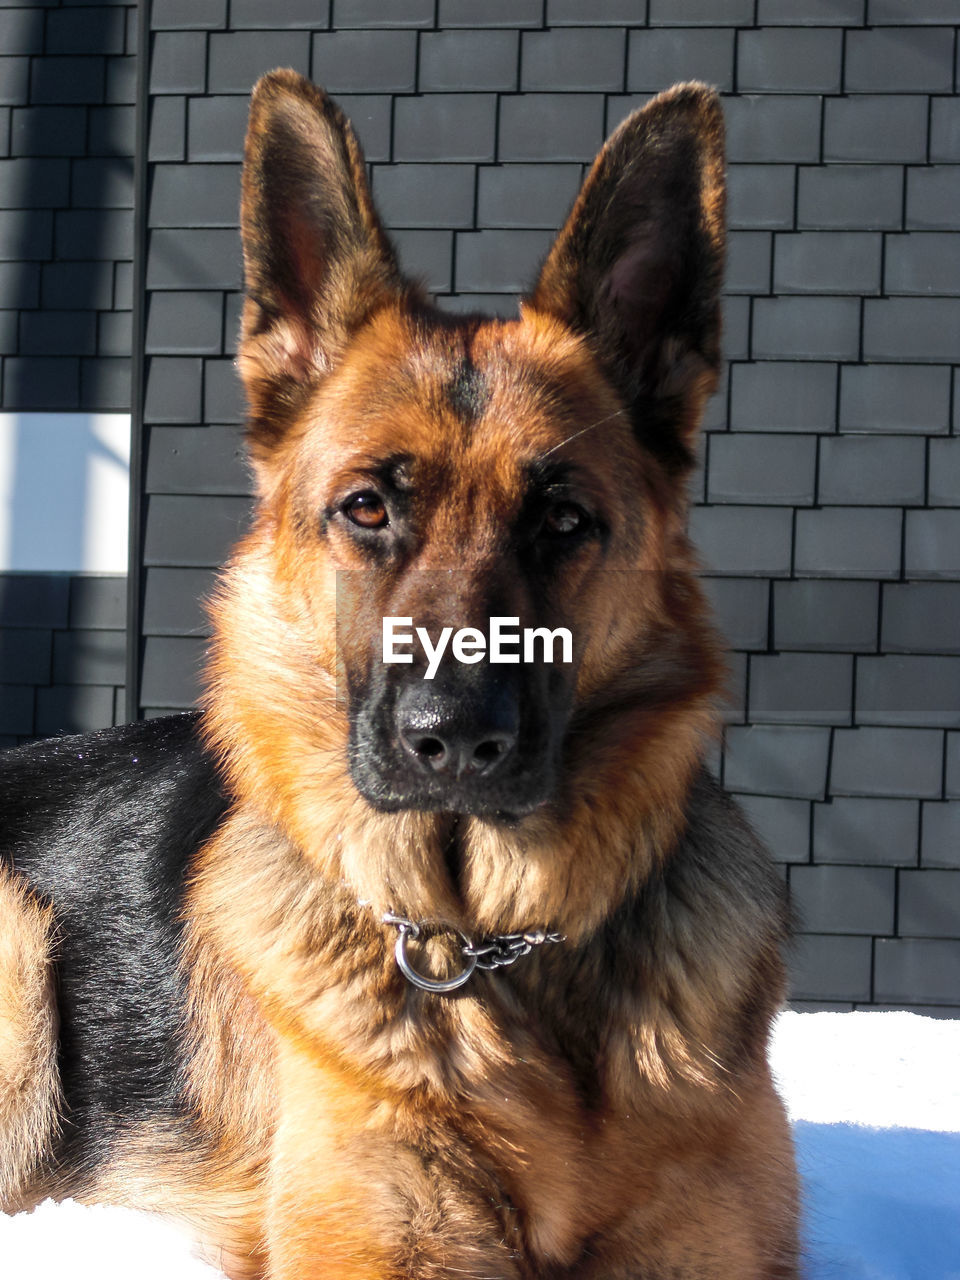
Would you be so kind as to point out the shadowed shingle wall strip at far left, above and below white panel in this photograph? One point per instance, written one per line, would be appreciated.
(67, 135)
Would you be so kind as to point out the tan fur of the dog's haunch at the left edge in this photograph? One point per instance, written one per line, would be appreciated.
(30, 1085)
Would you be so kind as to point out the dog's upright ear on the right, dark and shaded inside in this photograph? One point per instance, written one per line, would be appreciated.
(639, 264)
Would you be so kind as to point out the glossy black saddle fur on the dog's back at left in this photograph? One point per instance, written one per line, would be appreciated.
(103, 826)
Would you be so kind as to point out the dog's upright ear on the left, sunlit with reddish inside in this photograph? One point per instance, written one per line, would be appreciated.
(317, 260)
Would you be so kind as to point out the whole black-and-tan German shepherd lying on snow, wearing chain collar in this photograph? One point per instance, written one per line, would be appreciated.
(364, 975)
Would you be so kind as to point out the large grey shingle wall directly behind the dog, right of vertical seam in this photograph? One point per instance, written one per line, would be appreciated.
(828, 502)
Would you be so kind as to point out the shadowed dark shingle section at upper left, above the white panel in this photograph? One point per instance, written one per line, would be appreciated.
(67, 131)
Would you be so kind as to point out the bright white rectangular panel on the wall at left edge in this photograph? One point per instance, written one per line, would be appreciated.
(65, 483)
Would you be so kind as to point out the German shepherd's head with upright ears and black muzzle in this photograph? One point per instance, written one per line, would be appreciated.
(447, 470)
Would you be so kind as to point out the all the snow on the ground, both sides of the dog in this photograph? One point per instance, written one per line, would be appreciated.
(875, 1099)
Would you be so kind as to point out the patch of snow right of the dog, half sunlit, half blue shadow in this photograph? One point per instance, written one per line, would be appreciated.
(876, 1107)
